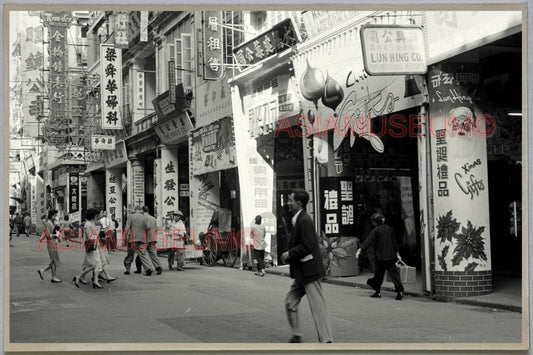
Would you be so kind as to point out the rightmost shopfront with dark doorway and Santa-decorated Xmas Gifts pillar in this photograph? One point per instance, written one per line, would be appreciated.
(475, 88)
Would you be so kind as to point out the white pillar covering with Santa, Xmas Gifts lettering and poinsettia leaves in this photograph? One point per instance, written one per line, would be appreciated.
(458, 134)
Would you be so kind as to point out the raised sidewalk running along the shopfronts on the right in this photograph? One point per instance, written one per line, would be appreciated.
(506, 295)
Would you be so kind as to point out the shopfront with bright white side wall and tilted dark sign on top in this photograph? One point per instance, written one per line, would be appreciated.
(270, 162)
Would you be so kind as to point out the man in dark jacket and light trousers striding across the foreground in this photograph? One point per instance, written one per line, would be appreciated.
(306, 269)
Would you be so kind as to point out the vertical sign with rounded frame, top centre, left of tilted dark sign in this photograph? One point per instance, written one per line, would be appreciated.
(213, 45)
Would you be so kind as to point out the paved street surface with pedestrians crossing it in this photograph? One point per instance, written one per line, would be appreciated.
(221, 304)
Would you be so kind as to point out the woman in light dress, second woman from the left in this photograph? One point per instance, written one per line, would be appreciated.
(93, 262)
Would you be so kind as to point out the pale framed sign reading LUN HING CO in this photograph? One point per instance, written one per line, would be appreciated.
(393, 50)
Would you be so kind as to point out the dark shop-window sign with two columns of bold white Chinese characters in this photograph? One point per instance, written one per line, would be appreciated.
(337, 201)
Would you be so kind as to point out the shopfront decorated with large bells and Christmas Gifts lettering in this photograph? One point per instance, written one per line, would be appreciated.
(362, 150)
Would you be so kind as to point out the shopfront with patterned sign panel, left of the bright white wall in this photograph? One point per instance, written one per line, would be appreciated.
(213, 175)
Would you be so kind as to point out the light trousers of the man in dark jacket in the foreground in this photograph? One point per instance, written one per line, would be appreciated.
(318, 307)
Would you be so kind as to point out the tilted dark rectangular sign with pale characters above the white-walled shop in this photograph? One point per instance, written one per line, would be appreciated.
(279, 38)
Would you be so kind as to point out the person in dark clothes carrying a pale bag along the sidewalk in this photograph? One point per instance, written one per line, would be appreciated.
(386, 252)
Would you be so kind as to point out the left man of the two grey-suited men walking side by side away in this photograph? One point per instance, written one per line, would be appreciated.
(136, 227)
